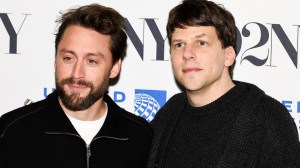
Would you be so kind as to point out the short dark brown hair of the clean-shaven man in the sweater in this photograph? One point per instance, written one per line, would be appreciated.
(204, 13)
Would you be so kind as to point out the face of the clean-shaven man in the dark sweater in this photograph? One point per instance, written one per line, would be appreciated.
(198, 59)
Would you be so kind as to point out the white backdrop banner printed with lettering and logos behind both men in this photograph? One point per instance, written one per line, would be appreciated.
(267, 54)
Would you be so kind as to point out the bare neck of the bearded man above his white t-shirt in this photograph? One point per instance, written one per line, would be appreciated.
(95, 112)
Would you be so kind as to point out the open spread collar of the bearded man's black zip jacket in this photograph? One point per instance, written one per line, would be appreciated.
(56, 121)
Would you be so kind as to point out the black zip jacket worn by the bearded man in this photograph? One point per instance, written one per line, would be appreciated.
(40, 135)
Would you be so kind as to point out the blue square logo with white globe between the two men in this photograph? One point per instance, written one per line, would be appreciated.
(148, 102)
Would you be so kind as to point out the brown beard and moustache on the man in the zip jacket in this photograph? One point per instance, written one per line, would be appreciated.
(74, 101)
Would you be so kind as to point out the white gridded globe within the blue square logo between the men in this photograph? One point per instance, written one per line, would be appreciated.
(145, 106)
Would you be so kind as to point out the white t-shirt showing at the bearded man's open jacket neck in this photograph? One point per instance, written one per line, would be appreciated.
(88, 129)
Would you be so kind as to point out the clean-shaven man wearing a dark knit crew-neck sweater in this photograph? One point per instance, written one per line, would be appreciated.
(217, 122)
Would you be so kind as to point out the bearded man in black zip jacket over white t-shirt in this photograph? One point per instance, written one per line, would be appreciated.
(78, 125)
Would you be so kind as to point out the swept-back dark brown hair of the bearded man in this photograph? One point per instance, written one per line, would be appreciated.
(102, 19)
